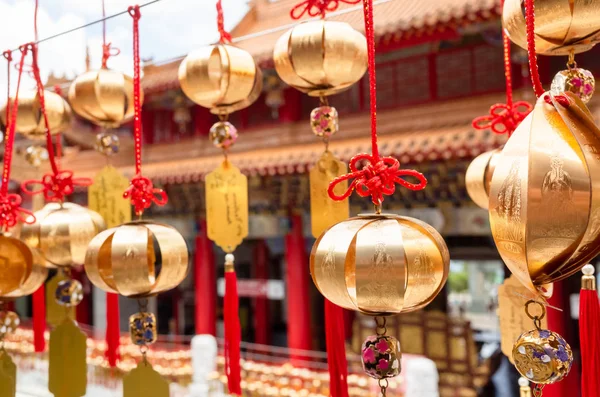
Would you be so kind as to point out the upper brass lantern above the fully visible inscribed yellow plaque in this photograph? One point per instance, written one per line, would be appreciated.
(221, 78)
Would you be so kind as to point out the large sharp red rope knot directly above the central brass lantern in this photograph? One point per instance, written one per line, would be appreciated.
(377, 178)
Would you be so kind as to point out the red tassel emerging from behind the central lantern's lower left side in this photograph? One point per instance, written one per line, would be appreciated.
(336, 349)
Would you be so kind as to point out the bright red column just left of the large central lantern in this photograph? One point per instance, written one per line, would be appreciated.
(297, 287)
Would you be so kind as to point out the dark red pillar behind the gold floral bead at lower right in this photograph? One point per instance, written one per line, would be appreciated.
(560, 322)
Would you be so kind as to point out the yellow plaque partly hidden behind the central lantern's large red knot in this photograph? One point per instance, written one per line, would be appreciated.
(325, 212)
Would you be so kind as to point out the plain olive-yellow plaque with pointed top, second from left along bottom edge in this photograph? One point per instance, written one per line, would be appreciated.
(67, 367)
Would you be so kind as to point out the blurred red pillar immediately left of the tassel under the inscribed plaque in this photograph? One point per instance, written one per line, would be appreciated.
(206, 284)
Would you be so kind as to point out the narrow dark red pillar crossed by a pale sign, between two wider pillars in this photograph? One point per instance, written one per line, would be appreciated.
(261, 304)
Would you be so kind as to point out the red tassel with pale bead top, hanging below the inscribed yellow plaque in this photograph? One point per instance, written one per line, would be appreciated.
(233, 331)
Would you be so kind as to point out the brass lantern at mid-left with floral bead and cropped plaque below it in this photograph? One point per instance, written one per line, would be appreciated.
(137, 259)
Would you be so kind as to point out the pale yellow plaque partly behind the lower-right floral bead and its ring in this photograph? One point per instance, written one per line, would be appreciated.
(512, 296)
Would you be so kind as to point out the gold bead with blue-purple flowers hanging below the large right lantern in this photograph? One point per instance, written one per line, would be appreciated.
(542, 356)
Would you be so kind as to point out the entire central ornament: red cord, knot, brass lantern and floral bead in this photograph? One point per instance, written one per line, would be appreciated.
(379, 264)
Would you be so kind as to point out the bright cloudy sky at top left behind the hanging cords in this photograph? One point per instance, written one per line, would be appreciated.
(168, 29)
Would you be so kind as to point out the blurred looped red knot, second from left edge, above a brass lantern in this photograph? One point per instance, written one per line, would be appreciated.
(55, 186)
